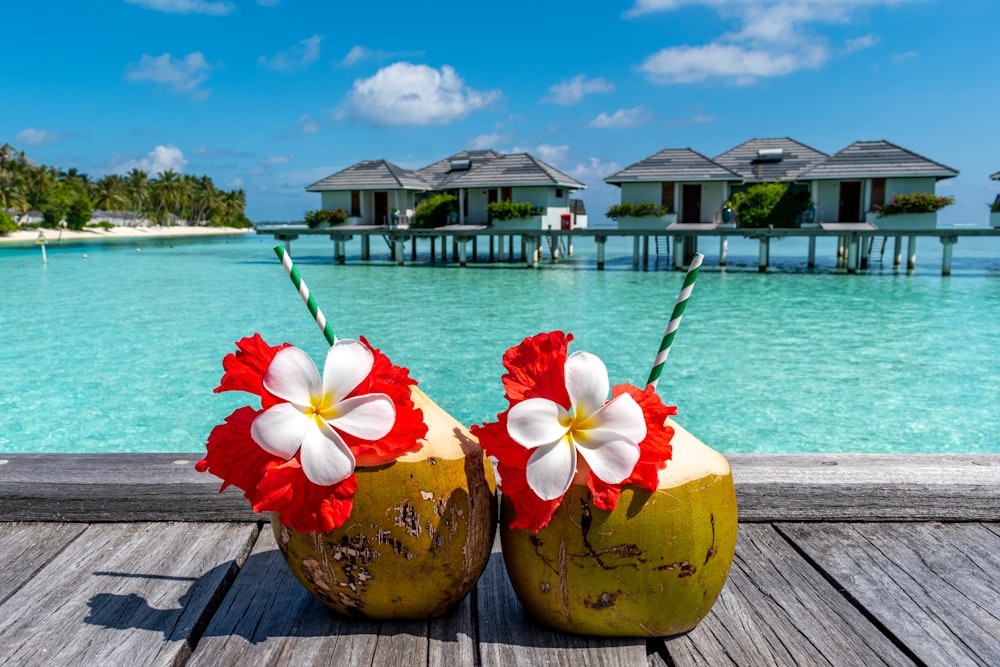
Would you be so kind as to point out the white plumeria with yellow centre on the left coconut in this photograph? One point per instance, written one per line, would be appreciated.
(316, 410)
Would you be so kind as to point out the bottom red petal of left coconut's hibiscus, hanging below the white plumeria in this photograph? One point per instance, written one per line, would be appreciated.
(305, 506)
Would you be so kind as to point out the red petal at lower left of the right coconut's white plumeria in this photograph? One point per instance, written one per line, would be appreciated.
(530, 512)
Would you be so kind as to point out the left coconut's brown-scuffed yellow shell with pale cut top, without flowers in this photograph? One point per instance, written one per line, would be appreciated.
(419, 536)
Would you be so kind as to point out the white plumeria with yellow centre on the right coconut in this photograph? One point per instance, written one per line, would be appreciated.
(607, 435)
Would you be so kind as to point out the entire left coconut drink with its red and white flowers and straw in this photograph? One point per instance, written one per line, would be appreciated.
(382, 504)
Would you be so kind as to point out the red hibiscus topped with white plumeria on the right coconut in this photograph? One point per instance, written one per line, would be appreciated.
(560, 424)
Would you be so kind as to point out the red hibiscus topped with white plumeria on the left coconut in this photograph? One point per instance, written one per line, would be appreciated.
(296, 455)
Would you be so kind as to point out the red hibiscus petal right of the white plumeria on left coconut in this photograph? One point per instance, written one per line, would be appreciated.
(409, 429)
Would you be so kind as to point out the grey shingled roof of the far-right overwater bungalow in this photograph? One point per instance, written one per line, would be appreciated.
(877, 159)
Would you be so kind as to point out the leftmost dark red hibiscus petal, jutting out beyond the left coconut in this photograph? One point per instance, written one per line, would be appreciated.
(233, 455)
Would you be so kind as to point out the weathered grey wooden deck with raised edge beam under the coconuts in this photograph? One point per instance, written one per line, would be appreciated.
(841, 560)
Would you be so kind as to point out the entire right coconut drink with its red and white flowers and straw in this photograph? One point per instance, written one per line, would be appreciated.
(614, 520)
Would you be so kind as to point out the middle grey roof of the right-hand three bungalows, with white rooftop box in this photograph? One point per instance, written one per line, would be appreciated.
(782, 160)
